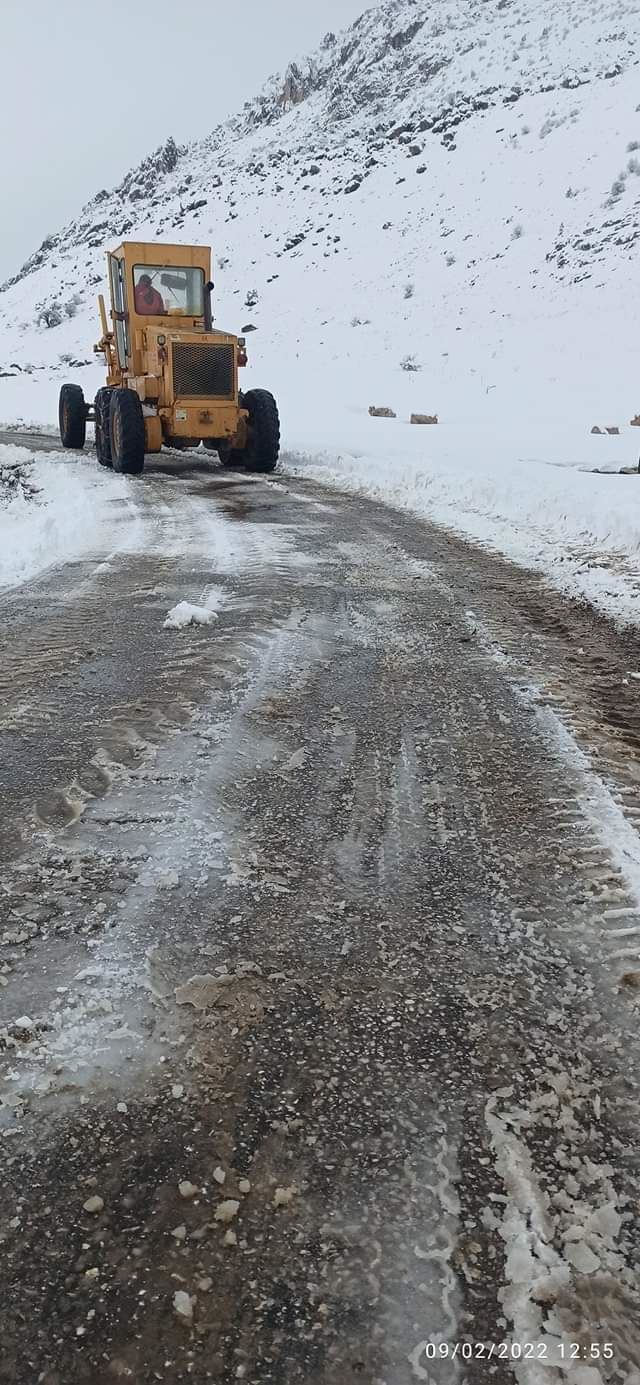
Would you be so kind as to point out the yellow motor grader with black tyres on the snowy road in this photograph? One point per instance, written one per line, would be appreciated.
(171, 376)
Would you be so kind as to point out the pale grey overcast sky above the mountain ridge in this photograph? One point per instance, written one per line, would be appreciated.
(89, 89)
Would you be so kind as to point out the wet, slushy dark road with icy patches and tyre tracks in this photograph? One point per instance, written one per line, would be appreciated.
(321, 955)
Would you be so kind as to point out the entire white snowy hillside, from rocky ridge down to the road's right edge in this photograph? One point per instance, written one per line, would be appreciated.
(440, 211)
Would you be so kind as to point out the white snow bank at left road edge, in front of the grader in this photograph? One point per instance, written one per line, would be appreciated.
(70, 512)
